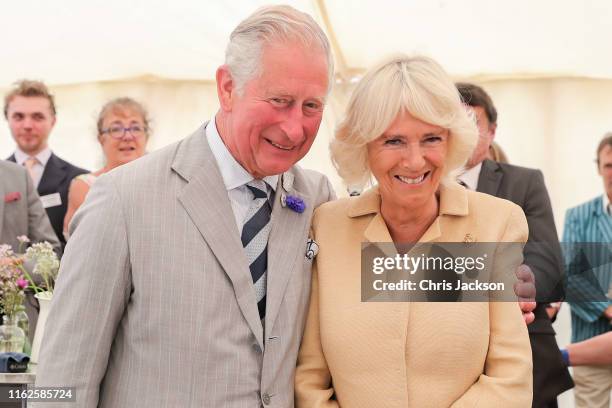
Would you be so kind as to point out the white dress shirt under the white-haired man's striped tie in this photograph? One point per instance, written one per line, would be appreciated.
(235, 177)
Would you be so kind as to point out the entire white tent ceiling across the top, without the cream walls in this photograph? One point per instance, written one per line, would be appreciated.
(75, 41)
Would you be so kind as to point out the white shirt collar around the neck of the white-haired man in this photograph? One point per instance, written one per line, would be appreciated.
(233, 174)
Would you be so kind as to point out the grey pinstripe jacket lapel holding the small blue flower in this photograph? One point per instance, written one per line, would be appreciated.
(286, 244)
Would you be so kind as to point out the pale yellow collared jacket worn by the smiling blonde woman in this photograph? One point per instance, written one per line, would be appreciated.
(410, 354)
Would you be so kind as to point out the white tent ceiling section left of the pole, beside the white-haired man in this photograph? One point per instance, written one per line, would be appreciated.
(99, 40)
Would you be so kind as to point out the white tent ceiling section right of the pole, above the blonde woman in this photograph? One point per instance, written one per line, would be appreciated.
(518, 38)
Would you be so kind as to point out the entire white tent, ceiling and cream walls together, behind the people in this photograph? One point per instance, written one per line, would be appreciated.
(547, 64)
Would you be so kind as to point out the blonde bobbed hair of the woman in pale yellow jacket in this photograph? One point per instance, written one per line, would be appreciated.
(417, 85)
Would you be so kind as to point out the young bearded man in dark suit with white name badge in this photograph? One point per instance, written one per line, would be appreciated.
(30, 111)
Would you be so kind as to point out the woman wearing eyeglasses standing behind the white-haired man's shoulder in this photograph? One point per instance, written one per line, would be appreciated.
(123, 132)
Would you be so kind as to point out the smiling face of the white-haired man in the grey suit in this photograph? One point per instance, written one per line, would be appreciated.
(274, 120)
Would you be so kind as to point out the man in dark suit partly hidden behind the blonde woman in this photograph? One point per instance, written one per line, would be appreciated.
(525, 187)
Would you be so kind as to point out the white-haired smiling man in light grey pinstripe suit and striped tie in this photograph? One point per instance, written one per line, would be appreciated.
(185, 282)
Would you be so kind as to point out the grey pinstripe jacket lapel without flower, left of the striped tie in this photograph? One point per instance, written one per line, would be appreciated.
(206, 201)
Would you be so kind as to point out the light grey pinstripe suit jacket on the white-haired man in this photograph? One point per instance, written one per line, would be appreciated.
(155, 306)
